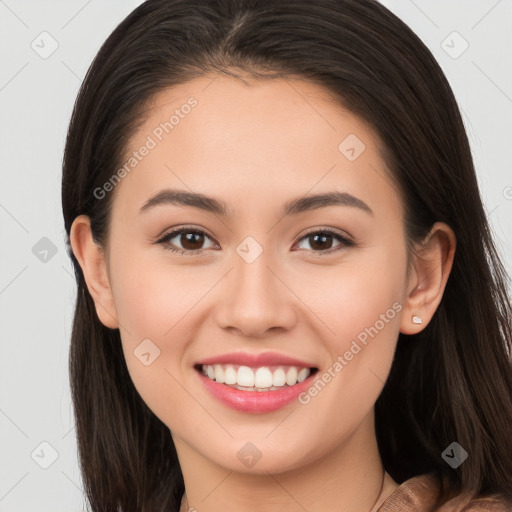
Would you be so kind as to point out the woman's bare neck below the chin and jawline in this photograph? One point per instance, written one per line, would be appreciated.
(350, 478)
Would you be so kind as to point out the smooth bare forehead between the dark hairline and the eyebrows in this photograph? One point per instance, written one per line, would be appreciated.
(247, 139)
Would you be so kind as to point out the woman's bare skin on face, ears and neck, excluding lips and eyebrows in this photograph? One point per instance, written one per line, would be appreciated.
(255, 147)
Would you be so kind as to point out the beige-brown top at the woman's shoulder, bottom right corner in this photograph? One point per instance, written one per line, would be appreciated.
(418, 494)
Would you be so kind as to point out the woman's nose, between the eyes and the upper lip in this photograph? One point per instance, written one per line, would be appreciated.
(256, 300)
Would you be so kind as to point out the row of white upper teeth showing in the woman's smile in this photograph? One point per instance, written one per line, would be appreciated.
(255, 379)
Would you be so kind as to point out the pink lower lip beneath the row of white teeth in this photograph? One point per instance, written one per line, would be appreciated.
(254, 401)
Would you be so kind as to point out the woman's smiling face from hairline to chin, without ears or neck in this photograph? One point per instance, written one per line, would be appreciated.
(265, 278)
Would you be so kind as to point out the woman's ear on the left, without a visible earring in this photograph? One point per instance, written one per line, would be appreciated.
(92, 260)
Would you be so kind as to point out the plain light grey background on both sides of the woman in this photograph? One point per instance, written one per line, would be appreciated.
(37, 297)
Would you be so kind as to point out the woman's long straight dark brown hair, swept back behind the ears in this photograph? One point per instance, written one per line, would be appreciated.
(451, 382)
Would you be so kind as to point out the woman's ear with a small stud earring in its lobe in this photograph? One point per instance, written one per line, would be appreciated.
(431, 267)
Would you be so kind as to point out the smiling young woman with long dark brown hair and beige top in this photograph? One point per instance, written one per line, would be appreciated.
(288, 296)
